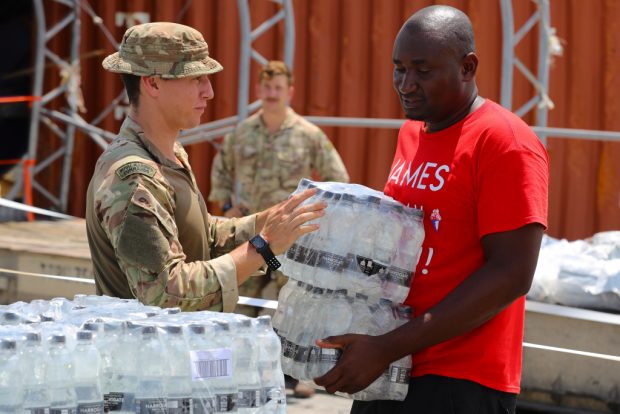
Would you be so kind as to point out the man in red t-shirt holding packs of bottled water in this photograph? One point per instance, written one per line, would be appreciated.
(480, 174)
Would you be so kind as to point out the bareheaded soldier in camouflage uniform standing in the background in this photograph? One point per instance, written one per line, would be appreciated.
(263, 159)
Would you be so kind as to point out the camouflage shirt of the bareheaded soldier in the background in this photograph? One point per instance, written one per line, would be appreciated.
(258, 170)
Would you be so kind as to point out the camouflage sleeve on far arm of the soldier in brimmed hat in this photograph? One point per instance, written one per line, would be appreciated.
(226, 234)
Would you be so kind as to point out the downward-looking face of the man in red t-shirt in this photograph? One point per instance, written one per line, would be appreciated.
(427, 77)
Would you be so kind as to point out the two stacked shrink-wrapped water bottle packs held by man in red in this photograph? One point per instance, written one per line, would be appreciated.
(351, 276)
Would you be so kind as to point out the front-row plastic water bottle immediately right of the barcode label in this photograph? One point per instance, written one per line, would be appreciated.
(245, 363)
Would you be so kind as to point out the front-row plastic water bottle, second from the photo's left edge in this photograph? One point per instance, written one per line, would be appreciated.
(36, 394)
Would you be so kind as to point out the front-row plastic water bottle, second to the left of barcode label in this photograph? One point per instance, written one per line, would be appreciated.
(153, 366)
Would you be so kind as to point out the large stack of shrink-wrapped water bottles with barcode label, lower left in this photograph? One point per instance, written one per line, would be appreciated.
(98, 354)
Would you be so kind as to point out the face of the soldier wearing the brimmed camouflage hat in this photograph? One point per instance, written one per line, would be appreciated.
(184, 100)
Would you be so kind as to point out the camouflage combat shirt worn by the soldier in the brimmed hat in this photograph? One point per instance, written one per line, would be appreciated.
(149, 231)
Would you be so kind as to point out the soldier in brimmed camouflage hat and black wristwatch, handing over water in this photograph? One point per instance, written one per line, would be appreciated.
(149, 231)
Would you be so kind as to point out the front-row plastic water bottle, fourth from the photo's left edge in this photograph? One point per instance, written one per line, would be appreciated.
(87, 369)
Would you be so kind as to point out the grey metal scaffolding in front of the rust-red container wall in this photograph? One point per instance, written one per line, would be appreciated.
(42, 113)
